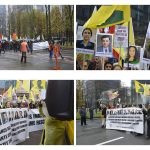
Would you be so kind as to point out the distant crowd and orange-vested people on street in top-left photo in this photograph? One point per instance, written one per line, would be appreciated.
(24, 46)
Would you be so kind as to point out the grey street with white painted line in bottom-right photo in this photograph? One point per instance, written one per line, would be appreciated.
(93, 134)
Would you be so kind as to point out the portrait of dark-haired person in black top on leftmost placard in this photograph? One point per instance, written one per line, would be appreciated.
(85, 43)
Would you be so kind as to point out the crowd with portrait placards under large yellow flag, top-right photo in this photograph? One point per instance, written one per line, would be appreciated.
(108, 43)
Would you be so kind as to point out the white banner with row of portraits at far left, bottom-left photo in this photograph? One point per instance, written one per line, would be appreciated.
(13, 126)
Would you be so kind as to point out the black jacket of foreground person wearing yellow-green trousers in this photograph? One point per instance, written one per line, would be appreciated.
(60, 99)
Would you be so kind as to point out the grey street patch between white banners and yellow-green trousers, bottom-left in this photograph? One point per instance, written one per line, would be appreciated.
(34, 139)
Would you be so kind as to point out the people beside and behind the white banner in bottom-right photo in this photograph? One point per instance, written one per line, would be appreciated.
(103, 115)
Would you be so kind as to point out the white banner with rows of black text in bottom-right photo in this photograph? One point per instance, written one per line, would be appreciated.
(128, 119)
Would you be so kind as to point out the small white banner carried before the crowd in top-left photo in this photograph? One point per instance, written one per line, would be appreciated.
(40, 45)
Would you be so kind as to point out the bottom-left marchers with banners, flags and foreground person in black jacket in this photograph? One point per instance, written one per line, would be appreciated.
(33, 106)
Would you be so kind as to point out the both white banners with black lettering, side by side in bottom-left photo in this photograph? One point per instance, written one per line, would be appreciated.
(16, 123)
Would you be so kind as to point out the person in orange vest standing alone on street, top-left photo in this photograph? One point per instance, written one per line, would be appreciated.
(24, 48)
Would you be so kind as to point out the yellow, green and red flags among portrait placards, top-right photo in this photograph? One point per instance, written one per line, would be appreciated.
(109, 16)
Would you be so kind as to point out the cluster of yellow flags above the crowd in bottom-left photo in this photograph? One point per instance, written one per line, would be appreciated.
(25, 85)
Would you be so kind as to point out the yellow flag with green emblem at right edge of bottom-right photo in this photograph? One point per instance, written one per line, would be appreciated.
(142, 88)
